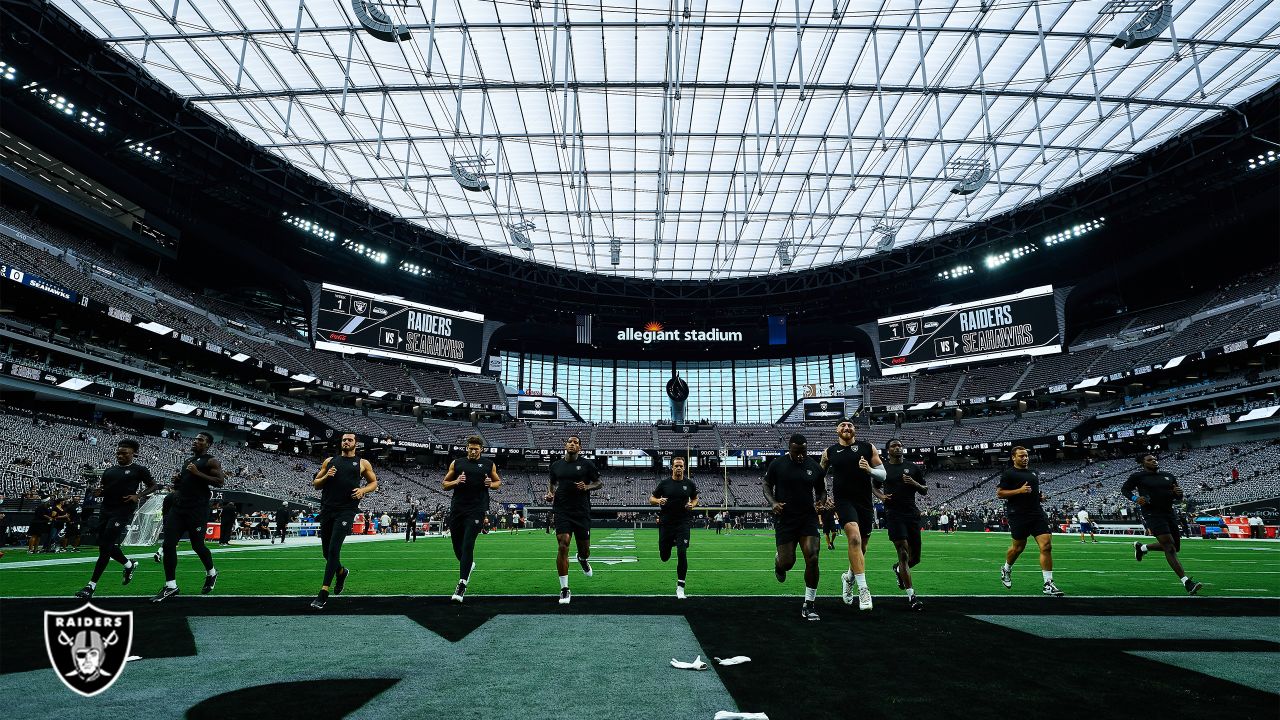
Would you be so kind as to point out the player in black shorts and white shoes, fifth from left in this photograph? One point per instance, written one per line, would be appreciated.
(569, 490)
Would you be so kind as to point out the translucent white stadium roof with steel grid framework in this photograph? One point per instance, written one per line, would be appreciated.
(700, 140)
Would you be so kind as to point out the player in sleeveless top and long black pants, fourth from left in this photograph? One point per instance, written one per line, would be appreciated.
(470, 480)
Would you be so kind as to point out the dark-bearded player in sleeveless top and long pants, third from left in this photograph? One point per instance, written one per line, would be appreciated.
(342, 482)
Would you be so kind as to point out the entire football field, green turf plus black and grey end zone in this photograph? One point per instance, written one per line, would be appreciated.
(1127, 641)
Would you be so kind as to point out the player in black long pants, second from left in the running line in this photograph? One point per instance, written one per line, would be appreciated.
(190, 514)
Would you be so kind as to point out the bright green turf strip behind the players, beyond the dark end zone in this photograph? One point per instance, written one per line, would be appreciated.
(737, 564)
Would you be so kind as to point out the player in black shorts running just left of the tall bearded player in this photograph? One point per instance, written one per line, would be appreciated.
(797, 491)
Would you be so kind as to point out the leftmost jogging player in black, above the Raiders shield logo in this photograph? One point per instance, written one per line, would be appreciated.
(120, 493)
